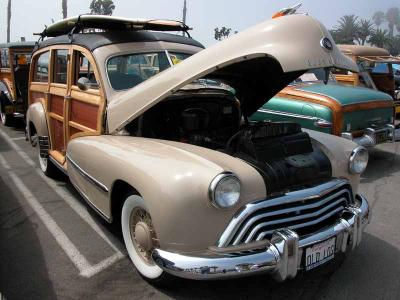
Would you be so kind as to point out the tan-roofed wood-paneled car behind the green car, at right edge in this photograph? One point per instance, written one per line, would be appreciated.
(376, 70)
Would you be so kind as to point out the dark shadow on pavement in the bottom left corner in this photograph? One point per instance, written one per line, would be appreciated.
(23, 272)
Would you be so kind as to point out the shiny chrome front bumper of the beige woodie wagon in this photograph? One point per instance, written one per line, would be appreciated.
(281, 257)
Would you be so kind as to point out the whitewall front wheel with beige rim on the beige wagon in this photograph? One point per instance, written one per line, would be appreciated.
(140, 238)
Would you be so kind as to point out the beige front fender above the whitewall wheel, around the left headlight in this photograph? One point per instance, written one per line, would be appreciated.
(173, 179)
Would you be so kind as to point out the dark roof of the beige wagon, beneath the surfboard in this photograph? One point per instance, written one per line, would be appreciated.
(93, 41)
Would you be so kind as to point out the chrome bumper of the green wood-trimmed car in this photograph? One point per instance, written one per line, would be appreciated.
(369, 139)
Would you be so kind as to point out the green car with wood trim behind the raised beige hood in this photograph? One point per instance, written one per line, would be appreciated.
(363, 115)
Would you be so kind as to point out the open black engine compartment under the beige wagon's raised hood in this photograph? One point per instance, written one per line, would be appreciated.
(280, 151)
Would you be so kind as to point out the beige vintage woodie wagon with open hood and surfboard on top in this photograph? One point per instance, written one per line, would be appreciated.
(200, 191)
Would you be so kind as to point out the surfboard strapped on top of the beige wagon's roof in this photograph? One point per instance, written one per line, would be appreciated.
(65, 26)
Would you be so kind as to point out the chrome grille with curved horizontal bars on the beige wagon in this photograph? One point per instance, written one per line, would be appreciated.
(305, 211)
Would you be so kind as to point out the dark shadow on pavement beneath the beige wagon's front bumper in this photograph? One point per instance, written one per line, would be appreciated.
(367, 273)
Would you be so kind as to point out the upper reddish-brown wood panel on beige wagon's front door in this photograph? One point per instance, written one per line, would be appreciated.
(84, 113)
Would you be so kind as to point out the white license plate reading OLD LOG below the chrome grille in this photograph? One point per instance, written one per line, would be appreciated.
(320, 253)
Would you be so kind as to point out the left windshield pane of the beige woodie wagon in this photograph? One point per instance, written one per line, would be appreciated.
(127, 71)
